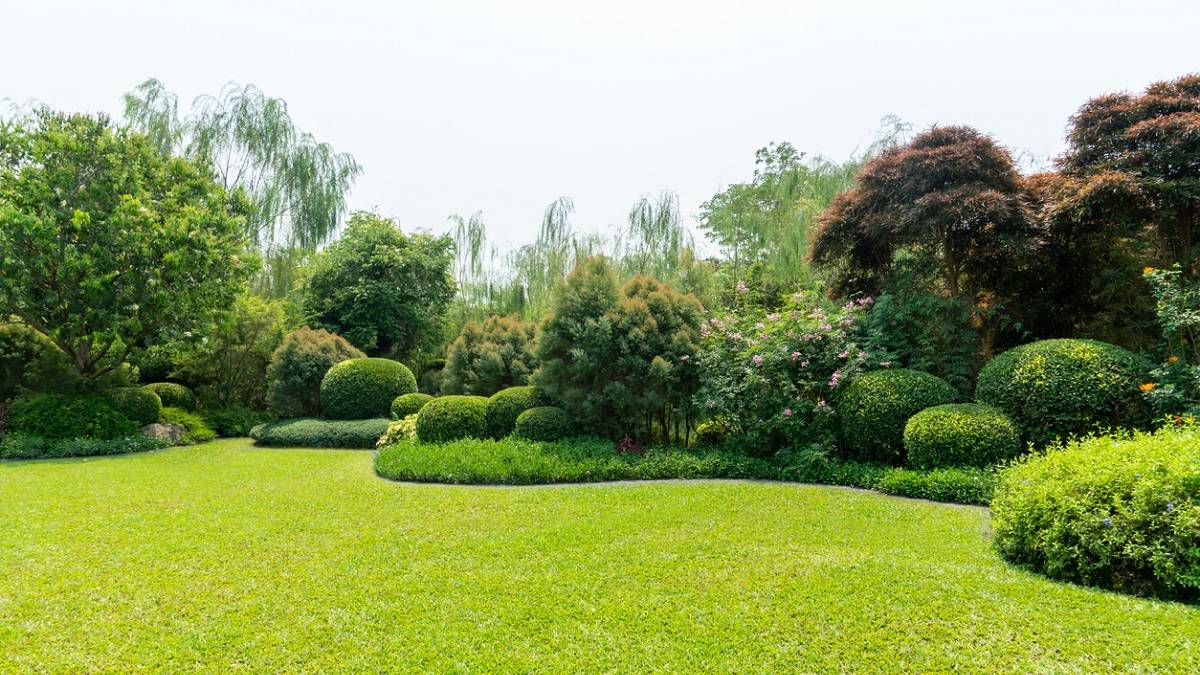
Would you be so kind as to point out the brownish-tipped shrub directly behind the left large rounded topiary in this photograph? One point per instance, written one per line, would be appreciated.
(298, 367)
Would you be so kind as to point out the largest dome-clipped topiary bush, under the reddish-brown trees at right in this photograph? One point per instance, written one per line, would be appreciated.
(1060, 389)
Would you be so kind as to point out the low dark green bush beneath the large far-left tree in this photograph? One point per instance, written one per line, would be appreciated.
(67, 416)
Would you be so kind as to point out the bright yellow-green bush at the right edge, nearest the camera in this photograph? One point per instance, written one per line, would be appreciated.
(1118, 512)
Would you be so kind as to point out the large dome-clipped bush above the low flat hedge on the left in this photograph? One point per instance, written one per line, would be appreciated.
(364, 389)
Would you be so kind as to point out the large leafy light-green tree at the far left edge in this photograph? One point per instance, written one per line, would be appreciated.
(105, 242)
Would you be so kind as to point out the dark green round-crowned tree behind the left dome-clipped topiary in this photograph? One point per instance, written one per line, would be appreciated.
(385, 291)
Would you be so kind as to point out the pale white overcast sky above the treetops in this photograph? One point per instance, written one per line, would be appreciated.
(501, 107)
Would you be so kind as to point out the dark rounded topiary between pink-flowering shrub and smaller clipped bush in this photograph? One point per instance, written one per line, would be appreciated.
(874, 409)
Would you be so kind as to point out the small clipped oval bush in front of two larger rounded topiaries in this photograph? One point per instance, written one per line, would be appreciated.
(961, 435)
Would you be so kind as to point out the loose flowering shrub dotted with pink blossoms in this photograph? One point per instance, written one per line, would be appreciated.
(772, 375)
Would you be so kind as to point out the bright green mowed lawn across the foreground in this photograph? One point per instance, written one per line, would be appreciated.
(226, 558)
